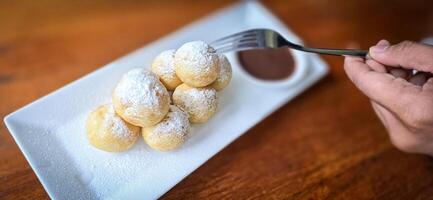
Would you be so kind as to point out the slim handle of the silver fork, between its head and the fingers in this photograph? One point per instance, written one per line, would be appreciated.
(338, 52)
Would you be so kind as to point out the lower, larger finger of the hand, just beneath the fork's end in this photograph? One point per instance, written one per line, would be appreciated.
(395, 94)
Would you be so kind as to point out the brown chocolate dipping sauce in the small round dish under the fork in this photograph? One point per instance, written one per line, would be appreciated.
(268, 64)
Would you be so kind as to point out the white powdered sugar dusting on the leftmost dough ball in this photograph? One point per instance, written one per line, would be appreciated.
(116, 125)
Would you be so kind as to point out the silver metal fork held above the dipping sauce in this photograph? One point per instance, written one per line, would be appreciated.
(267, 38)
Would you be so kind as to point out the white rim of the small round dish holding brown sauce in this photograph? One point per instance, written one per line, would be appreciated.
(300, 69)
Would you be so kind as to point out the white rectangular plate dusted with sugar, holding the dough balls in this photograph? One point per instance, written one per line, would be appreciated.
(51, 134)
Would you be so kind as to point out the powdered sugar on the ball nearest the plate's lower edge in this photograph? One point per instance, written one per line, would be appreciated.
(176, 122)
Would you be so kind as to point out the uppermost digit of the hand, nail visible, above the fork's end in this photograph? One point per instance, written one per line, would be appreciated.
(407, 54)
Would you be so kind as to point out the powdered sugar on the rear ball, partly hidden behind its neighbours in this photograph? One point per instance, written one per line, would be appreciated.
(164, 64)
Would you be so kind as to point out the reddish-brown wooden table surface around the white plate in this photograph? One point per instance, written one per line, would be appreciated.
(327, 143)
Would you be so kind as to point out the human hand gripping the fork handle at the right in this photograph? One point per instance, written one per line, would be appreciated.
(403, 101)
